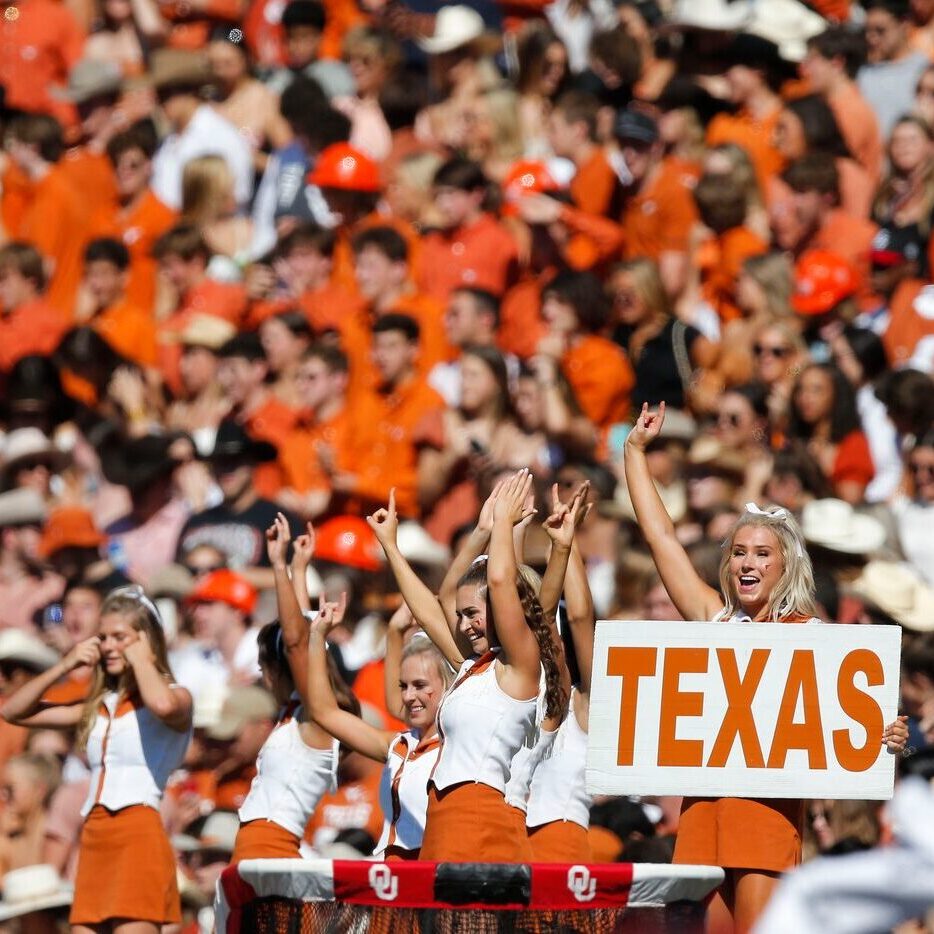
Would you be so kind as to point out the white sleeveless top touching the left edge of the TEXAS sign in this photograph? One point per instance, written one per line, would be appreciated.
(559, 789)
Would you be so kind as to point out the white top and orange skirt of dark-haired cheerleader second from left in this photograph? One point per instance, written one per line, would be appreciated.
(291, 778)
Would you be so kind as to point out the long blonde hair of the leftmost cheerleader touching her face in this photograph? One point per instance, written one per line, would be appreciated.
(139, 612)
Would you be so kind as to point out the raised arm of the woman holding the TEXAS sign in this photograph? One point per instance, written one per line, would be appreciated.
(693, 598)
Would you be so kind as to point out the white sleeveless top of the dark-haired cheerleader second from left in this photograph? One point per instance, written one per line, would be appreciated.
(291, 777)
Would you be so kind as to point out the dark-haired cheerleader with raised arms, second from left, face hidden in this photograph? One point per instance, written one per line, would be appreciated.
(298, 762)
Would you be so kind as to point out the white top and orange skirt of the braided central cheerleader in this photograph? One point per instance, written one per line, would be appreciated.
(482, 728)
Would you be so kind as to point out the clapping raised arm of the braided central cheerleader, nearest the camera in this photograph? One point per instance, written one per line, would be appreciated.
(520, 648)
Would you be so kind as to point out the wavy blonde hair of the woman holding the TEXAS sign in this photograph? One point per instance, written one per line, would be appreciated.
(794, 592)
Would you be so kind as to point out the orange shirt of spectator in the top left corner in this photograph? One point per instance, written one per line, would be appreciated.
(40, 47)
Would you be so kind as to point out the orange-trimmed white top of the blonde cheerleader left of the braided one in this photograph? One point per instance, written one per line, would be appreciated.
(403, 791)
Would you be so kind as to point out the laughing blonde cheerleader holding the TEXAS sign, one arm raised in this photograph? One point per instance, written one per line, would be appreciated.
(765, 576)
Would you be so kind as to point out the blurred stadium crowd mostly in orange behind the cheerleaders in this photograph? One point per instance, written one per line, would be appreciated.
(271, 267)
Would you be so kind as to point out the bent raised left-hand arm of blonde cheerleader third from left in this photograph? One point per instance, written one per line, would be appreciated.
(321, 704)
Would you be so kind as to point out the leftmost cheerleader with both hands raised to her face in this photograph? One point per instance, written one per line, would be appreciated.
(135, 726)
